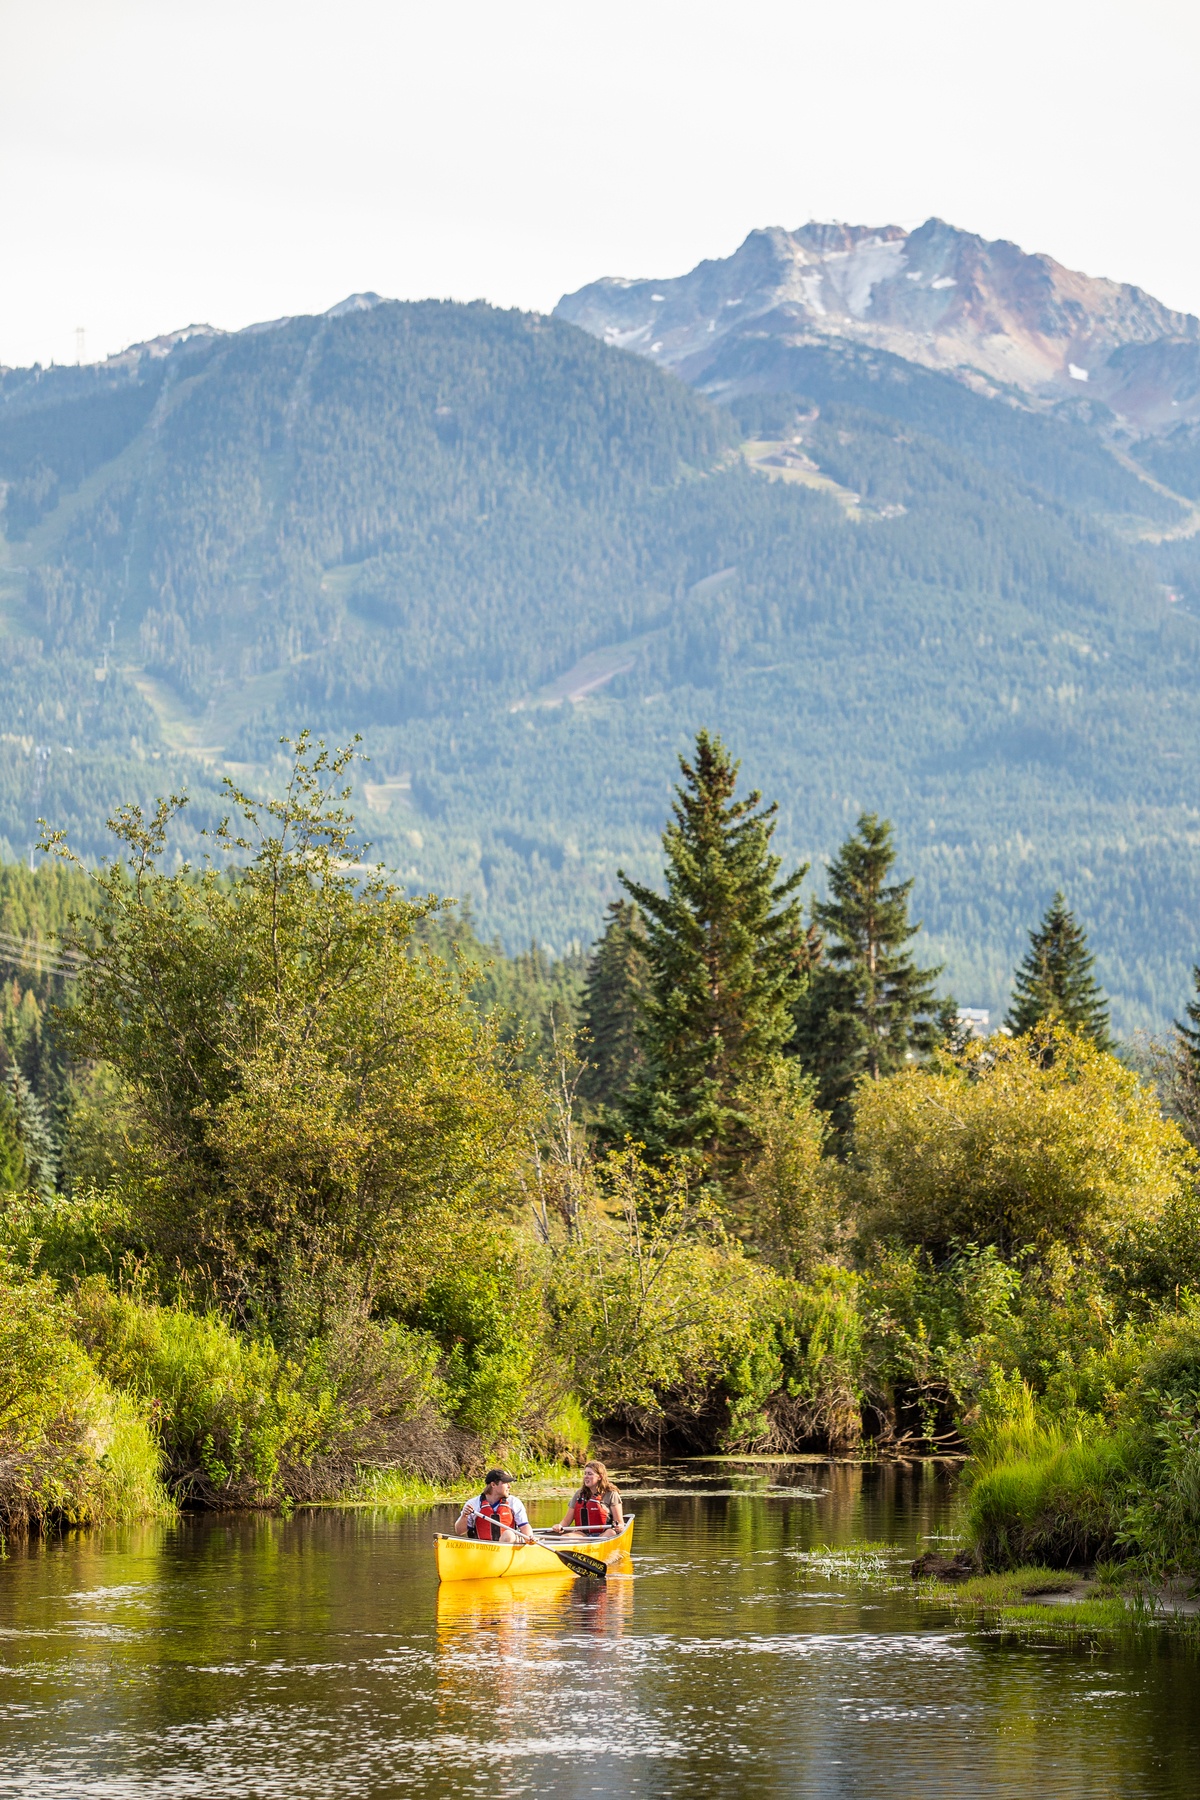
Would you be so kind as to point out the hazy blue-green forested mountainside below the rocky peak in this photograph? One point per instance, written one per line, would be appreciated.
(528, 566)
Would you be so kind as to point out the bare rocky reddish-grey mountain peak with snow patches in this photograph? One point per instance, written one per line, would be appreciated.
(940, 298)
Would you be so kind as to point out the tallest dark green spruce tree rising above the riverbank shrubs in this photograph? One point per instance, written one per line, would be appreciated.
(726, 953)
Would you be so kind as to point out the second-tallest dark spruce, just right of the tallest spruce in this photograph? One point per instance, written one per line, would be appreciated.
(868, 1007)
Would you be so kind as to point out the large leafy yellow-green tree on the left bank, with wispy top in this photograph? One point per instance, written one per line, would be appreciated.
(305, 1081)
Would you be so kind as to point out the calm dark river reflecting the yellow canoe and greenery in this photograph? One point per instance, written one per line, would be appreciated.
(318, 1657)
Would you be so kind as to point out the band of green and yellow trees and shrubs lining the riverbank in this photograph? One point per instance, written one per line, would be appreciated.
(307, 1201)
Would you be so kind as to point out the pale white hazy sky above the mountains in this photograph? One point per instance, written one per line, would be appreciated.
(242, 159)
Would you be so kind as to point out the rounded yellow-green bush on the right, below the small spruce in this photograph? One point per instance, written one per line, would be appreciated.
(1019, 1142)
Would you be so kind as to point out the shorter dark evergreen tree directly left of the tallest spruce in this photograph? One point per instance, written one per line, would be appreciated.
(614, 996)
